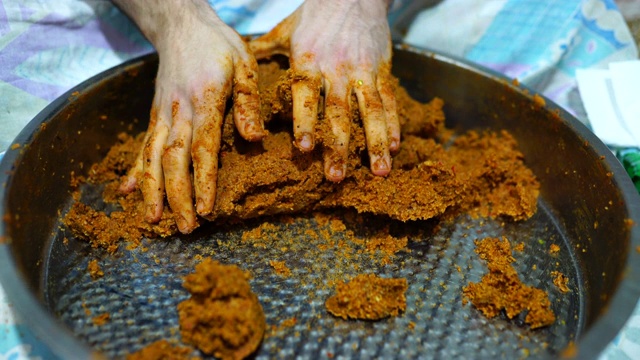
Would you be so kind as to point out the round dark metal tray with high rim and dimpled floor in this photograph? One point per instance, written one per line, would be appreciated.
(587, 207)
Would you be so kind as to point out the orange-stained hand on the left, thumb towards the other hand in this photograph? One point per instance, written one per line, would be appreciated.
(202, 63)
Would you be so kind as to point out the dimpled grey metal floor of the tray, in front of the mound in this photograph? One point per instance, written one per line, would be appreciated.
(141, 288)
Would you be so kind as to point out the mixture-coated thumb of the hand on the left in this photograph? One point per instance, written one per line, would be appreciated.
(246, 104)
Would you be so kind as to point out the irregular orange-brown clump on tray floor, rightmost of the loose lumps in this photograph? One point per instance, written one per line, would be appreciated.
(501, 289)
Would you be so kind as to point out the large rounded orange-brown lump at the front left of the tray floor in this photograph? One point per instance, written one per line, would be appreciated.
(223, 317)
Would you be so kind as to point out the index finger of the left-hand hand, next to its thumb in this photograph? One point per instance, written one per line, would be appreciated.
(207, 118)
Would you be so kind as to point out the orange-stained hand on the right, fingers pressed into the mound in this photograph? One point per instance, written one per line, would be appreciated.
(339, 48)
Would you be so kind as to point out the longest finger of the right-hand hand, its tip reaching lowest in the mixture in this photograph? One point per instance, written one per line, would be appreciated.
(337, 113)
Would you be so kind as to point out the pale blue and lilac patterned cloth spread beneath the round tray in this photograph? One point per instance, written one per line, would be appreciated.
(47, 47)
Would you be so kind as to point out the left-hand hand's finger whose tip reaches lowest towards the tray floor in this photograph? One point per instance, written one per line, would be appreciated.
(175, 163)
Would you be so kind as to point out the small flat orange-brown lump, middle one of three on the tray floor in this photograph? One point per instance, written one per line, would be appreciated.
(368, 297)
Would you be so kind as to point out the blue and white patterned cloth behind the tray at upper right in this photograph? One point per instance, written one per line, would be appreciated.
(541, 43)
